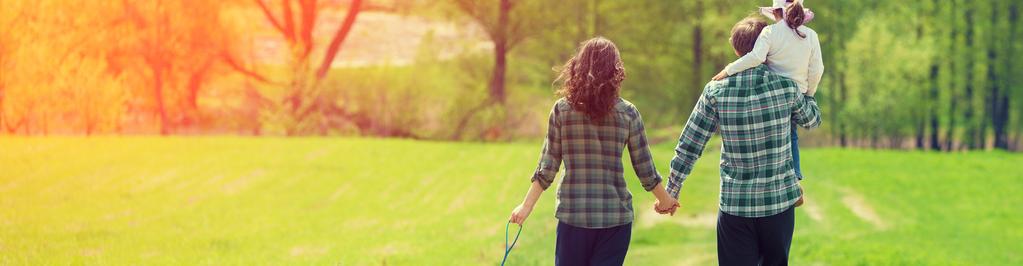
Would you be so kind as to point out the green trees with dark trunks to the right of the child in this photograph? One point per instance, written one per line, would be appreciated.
(928, 75)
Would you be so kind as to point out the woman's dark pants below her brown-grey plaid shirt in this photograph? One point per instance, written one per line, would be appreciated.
(577, 246)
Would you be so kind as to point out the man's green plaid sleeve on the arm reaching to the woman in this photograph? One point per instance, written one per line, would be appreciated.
(702, 123)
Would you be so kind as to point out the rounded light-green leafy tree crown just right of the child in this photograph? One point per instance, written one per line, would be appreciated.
(891, 81)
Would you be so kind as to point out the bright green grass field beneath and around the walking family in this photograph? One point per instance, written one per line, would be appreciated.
(186, 201)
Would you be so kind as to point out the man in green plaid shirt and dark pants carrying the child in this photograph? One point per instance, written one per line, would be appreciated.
(753, 110)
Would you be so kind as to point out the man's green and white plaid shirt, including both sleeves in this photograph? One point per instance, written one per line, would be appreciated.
(753, 110)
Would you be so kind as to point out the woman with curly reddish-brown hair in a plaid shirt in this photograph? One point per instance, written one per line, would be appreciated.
(589, 129)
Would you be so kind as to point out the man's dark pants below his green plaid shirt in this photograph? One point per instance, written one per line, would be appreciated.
(763, 241)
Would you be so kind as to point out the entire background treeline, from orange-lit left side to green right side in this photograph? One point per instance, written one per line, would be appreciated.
(932, 75)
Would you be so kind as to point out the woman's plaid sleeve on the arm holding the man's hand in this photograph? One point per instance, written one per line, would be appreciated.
(643, 162)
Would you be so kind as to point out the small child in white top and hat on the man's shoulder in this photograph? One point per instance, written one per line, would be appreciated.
(790, 50)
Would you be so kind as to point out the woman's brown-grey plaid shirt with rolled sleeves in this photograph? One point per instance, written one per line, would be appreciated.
(593, 193)
